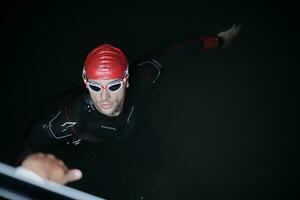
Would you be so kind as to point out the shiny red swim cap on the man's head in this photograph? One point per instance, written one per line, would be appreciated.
(105, 62)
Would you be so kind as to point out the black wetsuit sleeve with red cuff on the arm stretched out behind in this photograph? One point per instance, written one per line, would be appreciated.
(150, 67)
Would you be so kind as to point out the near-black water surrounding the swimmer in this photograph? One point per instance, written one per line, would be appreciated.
(224, 121)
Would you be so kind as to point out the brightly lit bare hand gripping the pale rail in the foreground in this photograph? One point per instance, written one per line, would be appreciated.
(49, 167)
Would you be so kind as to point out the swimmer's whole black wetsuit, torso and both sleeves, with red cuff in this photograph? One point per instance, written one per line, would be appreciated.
(75, 118)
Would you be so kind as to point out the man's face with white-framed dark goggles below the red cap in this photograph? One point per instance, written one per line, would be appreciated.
(109, 100)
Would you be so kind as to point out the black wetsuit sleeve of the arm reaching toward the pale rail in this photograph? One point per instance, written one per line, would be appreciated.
(50, 127)
